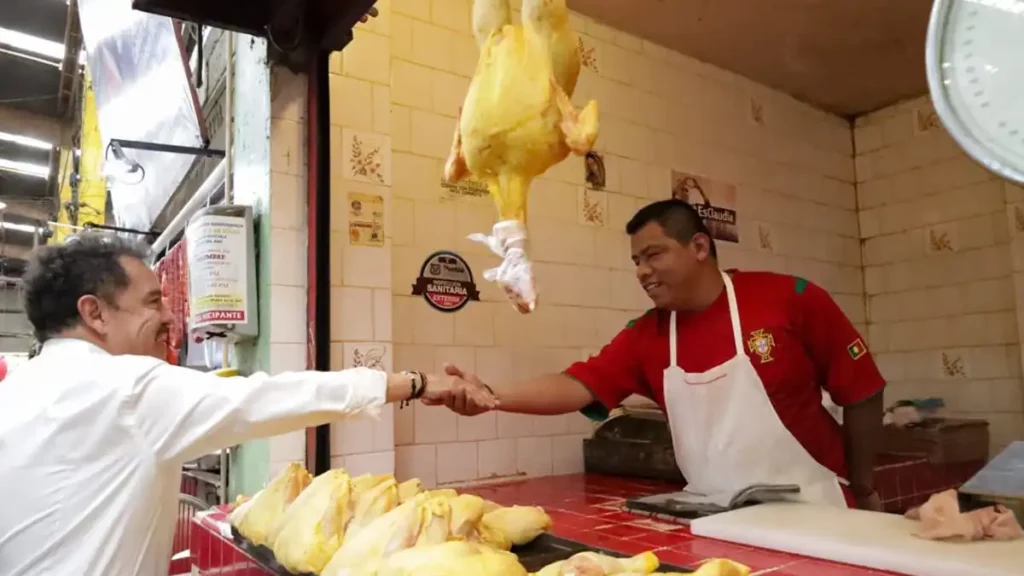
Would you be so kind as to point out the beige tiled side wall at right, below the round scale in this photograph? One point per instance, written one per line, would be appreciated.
(943, 250)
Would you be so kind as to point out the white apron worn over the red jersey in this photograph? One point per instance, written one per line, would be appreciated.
(728, 436)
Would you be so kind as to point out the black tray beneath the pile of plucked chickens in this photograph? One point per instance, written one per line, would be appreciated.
(535, 556)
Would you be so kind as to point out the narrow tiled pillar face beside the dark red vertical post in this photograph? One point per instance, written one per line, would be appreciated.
(361, 275)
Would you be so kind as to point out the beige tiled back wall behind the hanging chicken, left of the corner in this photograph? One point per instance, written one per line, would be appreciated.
(660, 112)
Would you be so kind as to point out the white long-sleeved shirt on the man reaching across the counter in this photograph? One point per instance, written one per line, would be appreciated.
(92, 448)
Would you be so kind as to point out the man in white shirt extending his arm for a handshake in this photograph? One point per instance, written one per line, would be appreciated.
(95, 431)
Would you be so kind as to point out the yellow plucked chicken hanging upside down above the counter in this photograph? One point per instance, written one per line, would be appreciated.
(518, 121)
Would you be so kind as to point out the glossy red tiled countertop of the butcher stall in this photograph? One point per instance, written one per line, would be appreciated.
(589, 509)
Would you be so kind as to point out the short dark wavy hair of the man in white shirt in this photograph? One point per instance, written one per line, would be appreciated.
(58, 276)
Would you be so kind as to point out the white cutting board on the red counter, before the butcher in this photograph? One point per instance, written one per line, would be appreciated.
(875, 541)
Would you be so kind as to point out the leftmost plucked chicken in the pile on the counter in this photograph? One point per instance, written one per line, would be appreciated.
(257, 519)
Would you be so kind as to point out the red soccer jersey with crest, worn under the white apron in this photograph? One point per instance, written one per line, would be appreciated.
(797, 338)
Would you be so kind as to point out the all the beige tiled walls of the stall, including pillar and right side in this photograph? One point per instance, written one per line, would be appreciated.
(396, 92)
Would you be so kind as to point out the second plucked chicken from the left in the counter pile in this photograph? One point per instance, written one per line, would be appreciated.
(312, 530)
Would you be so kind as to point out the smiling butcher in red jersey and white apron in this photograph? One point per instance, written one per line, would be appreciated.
(738, 361)
